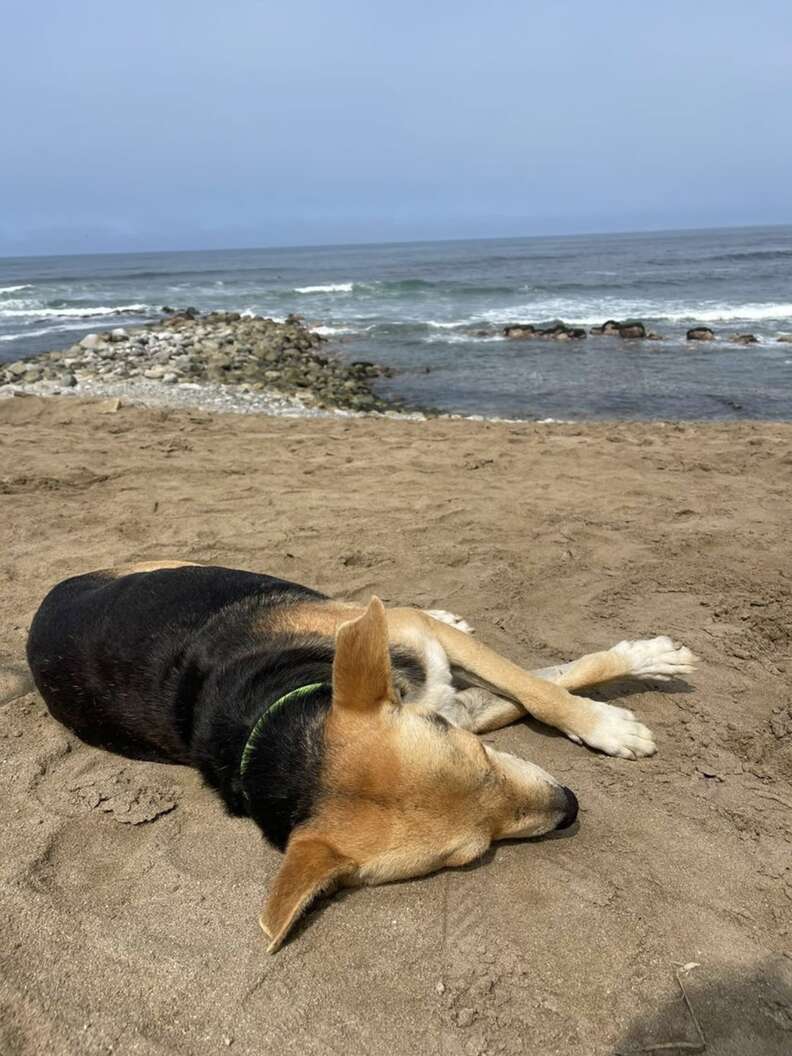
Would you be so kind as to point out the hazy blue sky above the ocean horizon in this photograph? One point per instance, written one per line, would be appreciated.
(188, 124)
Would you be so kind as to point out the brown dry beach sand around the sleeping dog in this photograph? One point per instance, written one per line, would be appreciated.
(130, 901)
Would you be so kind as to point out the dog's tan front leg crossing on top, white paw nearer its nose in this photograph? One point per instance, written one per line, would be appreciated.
(612, 730)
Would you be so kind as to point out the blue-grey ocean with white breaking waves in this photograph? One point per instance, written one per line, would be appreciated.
(435, 312)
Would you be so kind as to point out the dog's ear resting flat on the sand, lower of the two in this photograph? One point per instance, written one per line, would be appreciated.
(311, 868)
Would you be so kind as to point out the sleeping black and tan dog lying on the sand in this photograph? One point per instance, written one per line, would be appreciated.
(347, 733)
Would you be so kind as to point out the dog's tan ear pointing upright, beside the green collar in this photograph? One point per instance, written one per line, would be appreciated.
(362, 671)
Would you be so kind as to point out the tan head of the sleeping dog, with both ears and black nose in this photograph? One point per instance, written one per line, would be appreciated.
(403, 791)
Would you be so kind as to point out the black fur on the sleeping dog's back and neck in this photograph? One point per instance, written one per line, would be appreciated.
(178, 665)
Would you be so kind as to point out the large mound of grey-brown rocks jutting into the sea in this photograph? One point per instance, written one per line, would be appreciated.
(222, 347)
